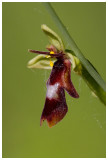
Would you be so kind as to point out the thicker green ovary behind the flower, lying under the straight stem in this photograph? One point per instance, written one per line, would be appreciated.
(79, 69)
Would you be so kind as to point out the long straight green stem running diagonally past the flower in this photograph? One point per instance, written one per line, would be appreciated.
(89, 68)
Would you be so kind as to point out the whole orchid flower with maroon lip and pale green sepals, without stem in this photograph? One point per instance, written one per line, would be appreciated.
(55, 107)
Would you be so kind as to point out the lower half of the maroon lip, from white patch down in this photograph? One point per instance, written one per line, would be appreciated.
(55, 105)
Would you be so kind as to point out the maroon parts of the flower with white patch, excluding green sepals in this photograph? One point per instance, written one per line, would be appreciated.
(55, 107)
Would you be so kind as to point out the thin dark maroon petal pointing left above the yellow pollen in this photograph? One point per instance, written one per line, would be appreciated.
(61, 54)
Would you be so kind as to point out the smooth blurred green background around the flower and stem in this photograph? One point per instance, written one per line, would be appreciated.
(82, 132)
